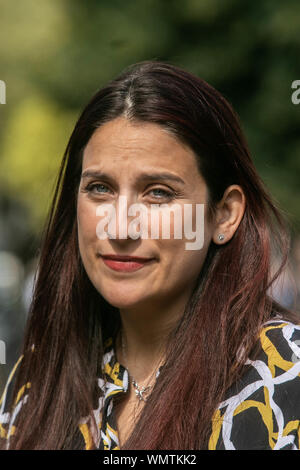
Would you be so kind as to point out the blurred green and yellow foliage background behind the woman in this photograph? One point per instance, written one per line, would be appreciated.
(54, 54)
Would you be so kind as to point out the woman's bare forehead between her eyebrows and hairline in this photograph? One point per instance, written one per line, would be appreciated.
(121, 144)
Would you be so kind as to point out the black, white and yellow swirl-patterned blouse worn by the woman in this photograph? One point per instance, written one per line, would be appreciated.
(261, 411)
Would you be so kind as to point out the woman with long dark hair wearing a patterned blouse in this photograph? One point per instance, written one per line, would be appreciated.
(137, 342)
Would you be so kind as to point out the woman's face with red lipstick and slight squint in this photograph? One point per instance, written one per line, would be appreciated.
(119, 160)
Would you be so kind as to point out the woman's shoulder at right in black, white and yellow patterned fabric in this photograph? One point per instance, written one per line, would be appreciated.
(262, 410)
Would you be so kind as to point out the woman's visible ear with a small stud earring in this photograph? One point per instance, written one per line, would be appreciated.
(230, 211)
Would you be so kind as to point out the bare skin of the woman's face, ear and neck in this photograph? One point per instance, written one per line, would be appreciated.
(151, 299)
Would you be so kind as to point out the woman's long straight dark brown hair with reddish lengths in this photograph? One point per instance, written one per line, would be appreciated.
(68, 318)
